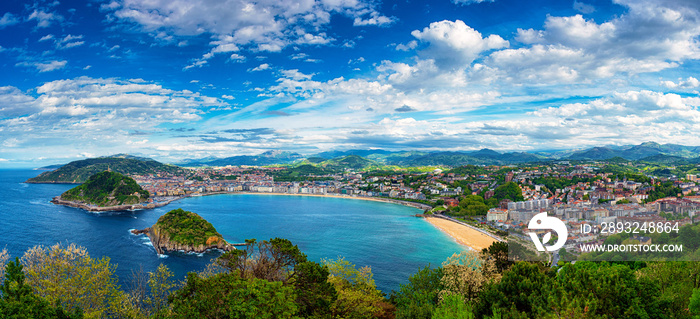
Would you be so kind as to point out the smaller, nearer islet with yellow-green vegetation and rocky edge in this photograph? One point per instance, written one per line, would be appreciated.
(186, 231)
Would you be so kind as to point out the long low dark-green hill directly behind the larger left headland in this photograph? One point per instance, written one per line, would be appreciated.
(79, 171)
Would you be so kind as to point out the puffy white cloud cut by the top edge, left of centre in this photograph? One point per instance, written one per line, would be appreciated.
(266, 25)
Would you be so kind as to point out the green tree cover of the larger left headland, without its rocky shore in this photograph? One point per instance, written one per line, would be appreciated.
(107, 189)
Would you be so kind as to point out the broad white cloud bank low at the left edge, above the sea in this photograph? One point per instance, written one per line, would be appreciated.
(71, 115)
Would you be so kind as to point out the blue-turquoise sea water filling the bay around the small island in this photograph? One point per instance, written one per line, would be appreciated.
(384, 236)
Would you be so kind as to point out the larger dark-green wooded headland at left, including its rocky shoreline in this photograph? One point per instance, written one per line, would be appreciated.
(106, 191)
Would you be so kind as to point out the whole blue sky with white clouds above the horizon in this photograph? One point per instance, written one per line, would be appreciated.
(176, 79)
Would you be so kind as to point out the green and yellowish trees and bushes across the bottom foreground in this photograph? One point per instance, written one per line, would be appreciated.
(274, 279)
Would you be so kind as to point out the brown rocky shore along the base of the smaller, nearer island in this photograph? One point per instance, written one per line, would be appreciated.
(162, 243)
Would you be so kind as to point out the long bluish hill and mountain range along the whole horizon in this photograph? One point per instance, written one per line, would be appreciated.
(668, 154)
